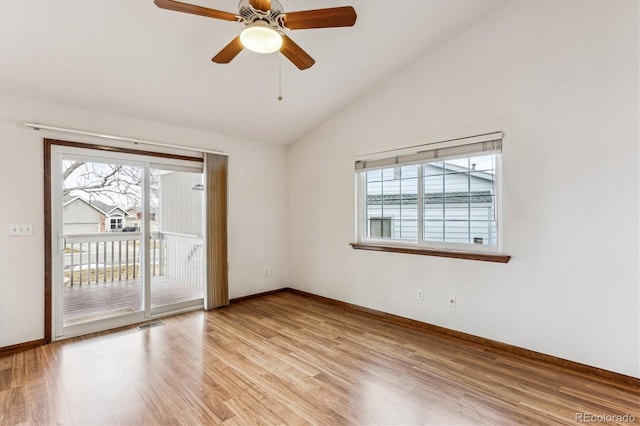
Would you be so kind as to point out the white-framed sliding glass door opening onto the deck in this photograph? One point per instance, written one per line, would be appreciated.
(128, 238)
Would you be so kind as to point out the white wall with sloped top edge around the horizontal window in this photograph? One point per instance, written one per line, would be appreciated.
(560, 78)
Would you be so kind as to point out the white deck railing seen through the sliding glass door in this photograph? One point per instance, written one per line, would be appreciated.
(109, 257)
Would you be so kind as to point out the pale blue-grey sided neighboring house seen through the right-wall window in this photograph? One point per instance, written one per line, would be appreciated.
(464, 212)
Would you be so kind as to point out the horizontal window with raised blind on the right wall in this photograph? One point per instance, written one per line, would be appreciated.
(442, 196)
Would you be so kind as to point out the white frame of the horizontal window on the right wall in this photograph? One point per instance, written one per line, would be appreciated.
(419, 155)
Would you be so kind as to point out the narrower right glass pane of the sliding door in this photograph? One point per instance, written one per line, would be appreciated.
(176, 250)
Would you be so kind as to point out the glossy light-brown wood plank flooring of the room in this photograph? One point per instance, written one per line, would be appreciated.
(289, 359)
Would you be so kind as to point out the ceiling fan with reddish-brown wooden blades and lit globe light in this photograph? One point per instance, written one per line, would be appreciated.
(265, 26)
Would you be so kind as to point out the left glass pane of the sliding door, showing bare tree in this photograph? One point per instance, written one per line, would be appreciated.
(102, 240)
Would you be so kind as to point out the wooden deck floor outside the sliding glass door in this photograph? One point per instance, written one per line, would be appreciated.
(102, 300)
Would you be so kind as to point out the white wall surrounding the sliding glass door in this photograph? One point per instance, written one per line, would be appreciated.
(257, 177)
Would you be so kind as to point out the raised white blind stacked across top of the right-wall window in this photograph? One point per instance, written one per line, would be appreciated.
(427, 153)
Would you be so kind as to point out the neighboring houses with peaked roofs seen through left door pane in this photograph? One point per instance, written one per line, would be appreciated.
(81, 217)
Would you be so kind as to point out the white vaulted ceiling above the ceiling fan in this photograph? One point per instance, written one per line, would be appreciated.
(131, 58)
